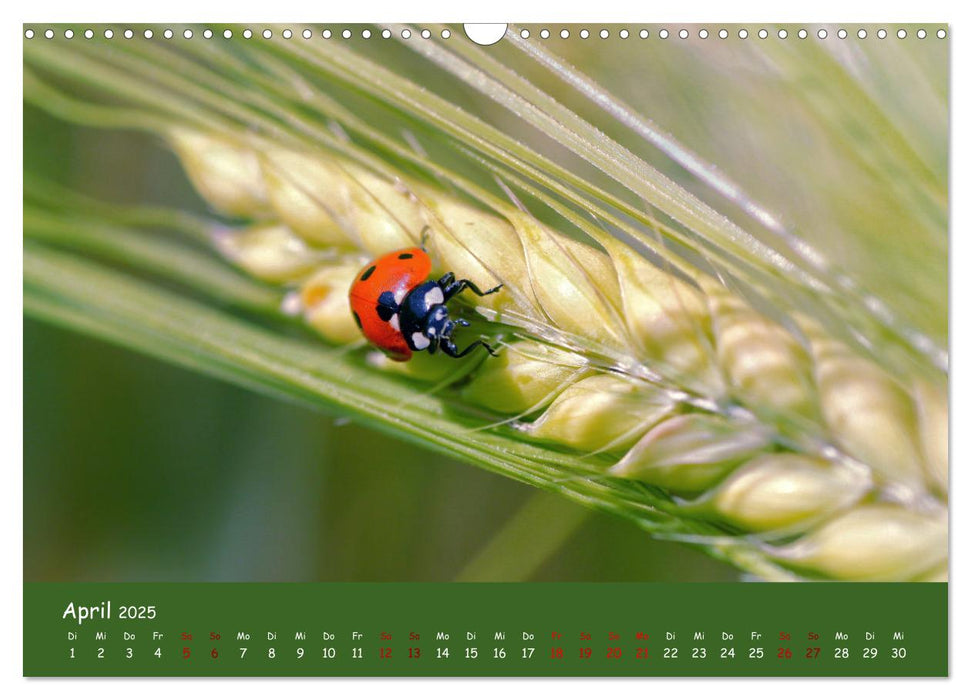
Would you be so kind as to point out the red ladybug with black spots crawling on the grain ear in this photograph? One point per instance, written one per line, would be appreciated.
(400, 310)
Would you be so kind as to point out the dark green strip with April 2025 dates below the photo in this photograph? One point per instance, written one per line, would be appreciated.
(495, 629)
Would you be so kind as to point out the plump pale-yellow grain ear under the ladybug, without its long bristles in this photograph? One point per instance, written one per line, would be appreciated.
(835, 468)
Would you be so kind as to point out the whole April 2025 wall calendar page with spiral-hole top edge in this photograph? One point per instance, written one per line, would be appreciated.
(534, 350)
